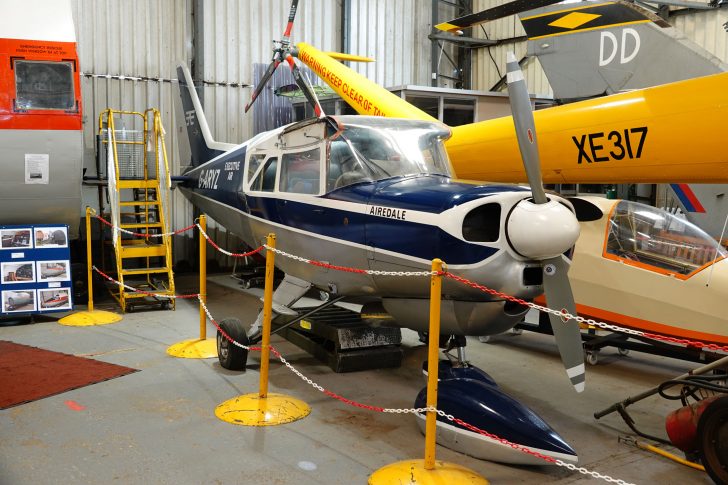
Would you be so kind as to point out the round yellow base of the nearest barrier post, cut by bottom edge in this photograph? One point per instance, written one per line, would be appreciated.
(411, 472)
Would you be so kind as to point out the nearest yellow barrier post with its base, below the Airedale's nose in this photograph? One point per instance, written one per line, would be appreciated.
(429, 471)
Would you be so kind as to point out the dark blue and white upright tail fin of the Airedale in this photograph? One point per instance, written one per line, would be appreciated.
(196, 144)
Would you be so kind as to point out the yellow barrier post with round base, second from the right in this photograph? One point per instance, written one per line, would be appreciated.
(263, 408)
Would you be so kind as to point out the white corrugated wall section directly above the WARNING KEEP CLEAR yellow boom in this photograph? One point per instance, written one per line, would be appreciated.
(394, 32)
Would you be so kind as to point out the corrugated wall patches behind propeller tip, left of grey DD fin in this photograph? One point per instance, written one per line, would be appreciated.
(488, 70)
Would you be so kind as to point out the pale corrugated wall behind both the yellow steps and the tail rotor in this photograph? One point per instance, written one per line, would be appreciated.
(146, 38)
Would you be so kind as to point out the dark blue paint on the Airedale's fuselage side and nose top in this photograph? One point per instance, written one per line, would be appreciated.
(432, 194)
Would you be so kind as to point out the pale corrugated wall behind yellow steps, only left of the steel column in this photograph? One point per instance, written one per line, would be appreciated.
(141, 38)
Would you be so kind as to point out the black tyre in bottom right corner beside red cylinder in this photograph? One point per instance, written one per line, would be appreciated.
(713, 439)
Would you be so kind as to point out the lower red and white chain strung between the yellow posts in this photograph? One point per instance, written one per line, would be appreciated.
(357, 404)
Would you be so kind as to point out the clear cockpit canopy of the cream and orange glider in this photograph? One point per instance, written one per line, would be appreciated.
(653, 239)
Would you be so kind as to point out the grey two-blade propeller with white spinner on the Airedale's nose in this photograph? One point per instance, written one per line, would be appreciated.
(532, 223)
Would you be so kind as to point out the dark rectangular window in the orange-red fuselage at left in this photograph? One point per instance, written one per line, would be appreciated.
(44, 85)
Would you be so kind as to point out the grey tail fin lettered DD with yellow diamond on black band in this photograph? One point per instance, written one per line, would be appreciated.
(595, 48)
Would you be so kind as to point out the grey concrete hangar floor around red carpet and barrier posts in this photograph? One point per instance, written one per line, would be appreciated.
(158, 425)
